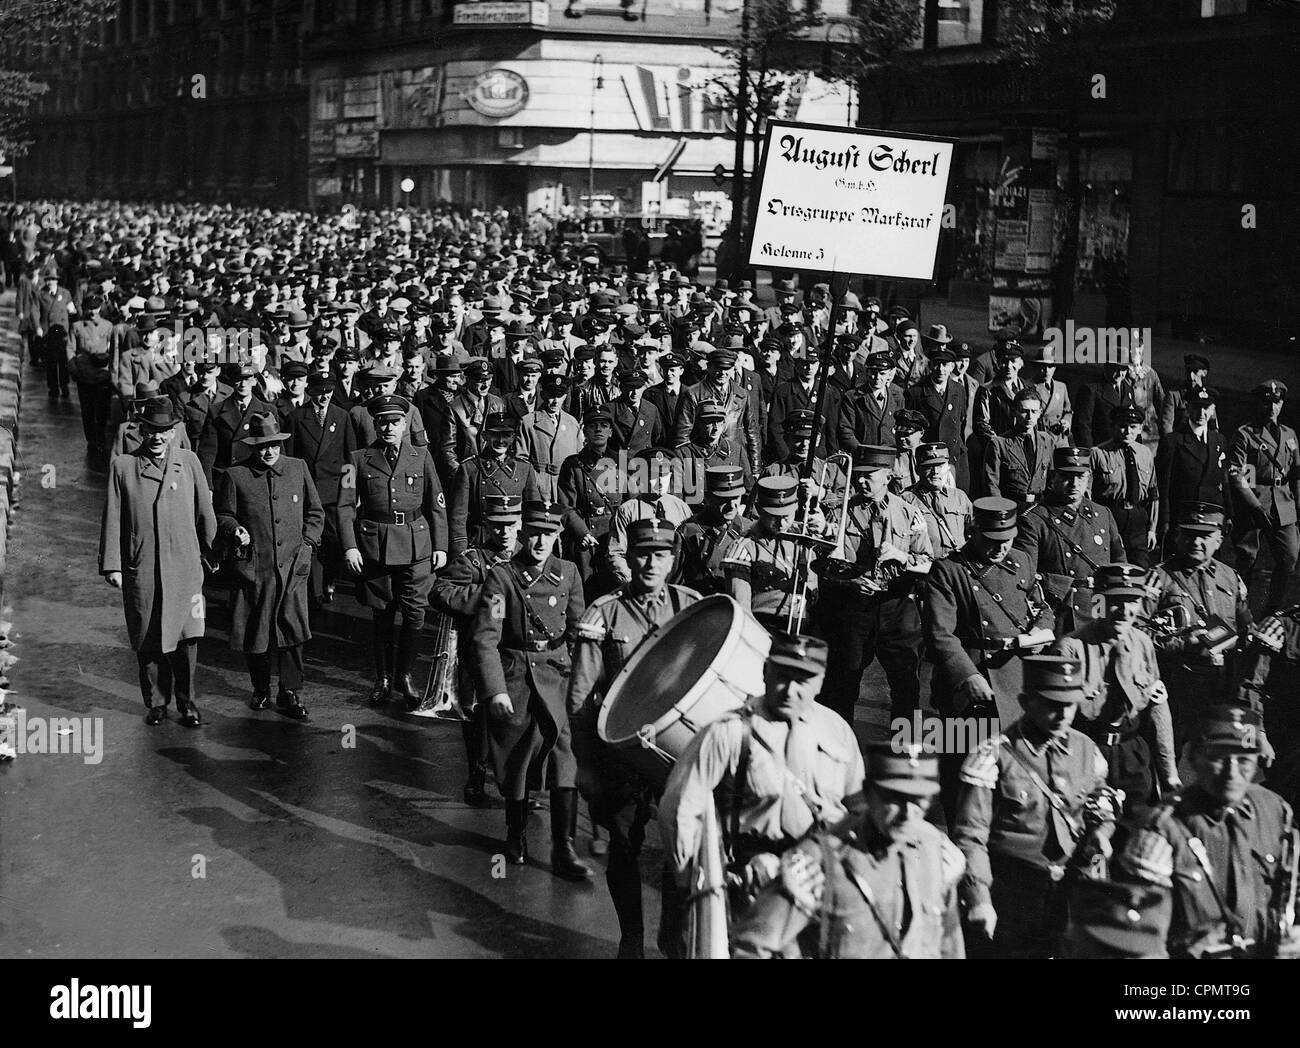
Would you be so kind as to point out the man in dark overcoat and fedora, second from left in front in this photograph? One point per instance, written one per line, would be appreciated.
(271, 521)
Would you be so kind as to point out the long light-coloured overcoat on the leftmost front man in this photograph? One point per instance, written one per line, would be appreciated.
(157, 527)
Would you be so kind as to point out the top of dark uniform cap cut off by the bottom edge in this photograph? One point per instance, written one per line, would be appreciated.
(1111, 920)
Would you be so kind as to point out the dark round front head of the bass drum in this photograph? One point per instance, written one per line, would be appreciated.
(666, 670)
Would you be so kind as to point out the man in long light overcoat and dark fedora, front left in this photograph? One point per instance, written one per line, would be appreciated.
(158, 526)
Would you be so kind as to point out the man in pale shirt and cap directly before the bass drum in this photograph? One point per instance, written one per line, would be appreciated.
(796, 761)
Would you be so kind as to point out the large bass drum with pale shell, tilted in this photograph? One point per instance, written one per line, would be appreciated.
(704, 662)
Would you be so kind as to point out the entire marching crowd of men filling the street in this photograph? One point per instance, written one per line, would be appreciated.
(556, 457)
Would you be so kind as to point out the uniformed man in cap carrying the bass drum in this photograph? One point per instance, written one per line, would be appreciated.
(610, 631)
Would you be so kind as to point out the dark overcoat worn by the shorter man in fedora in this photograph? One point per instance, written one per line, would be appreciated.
(280, 509)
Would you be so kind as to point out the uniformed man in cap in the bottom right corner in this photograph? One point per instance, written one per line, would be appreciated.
(1219, 846)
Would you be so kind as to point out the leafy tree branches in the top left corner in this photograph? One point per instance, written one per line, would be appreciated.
(27, 29)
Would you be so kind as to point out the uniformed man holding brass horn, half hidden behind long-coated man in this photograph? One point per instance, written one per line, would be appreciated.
(457, 592)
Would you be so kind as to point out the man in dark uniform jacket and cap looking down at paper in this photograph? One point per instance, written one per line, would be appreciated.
(983, 613)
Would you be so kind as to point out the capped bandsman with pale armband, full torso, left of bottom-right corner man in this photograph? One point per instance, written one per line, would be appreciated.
(1034, 809)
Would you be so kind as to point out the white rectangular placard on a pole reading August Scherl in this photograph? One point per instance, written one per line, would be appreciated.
(851, 201)
